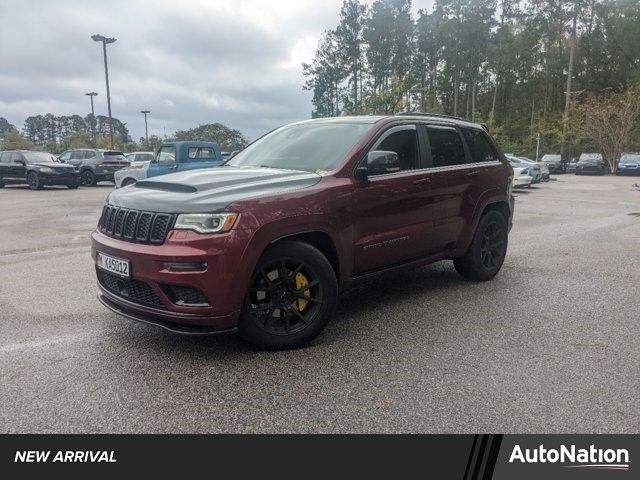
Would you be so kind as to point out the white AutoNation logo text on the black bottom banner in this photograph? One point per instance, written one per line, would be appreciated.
(592, 457)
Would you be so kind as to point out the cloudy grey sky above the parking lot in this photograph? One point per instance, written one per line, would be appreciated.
(237, 62)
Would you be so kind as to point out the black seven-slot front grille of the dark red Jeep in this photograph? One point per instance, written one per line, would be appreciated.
(135, 225)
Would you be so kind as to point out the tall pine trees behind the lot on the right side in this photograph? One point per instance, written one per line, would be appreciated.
(503, 62)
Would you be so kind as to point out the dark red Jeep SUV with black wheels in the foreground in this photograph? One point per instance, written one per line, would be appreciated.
(263, 244)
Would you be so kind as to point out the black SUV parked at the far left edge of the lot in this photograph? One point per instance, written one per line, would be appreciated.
(36, 169)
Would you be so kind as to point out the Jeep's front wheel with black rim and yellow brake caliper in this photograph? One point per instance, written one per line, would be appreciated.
(291, 298)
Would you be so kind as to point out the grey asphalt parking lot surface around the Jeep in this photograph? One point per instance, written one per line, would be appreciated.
(551, 345)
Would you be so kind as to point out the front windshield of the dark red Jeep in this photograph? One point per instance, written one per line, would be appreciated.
(304, 146)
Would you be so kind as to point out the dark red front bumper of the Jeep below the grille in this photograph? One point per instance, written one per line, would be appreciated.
(223, 281)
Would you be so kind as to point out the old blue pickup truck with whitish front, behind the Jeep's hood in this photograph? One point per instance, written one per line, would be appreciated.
(173, 157)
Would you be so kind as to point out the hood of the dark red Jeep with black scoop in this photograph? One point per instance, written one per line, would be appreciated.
(209, 190)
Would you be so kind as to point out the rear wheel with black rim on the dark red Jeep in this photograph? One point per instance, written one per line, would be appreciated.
(484, 258)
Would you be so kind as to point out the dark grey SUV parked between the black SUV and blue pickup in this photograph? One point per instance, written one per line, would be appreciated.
(95, 165)
